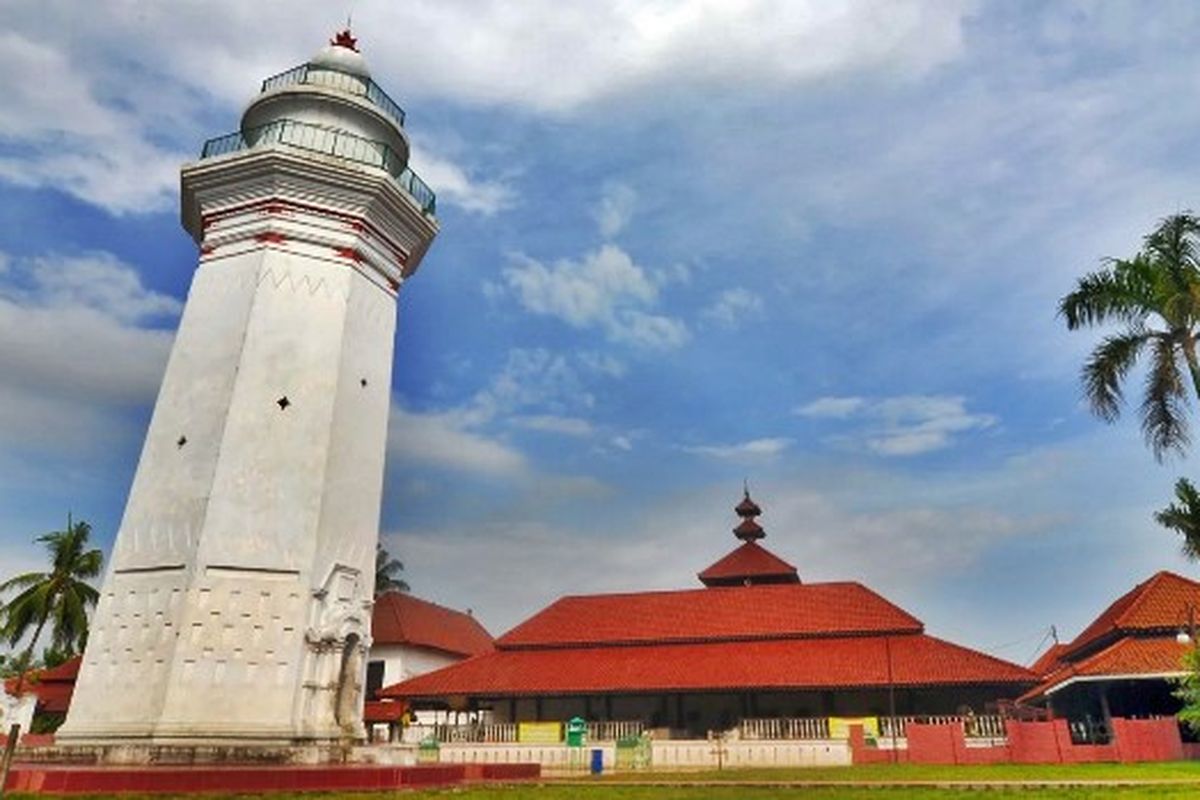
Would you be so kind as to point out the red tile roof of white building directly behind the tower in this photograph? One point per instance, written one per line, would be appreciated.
(400, 618)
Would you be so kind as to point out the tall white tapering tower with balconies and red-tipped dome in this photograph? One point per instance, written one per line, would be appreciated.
(238, 604)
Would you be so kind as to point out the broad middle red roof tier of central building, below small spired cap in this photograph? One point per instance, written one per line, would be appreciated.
(735, 613)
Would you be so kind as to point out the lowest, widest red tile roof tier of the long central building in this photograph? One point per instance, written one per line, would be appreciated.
(862, 661)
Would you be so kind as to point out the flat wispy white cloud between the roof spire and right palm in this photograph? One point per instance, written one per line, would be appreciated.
(908, 425)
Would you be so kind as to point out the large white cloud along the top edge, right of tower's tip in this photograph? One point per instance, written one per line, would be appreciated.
(617, 49)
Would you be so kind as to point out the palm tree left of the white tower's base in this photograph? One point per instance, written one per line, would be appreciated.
(59, 598)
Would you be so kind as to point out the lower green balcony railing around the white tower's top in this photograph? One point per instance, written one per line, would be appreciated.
(331, 142)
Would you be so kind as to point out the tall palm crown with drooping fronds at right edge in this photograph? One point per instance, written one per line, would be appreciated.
(1155, 297)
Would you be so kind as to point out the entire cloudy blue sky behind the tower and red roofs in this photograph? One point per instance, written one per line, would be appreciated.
(683, 244)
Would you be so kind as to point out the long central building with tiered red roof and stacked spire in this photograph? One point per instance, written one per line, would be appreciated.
(754, 643)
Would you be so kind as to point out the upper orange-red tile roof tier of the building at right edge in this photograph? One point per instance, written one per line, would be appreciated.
(1160, 604)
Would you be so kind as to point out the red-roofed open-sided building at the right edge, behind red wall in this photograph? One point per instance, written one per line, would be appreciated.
(1124, 663)
